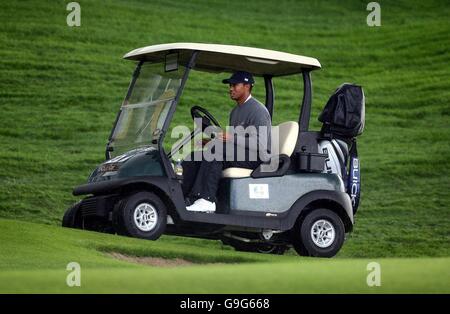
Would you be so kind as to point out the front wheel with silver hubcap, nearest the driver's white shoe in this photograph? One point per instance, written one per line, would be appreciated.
(124, 216)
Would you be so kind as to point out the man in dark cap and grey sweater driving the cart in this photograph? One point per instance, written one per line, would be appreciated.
(201, 178)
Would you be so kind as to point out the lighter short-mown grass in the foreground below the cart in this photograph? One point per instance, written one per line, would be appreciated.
(216, 269)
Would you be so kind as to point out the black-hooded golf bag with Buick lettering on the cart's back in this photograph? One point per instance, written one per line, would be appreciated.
(343, 120)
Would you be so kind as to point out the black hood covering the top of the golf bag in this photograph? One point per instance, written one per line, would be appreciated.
(344, 114)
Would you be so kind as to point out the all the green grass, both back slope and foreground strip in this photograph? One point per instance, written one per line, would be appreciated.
(61, 87)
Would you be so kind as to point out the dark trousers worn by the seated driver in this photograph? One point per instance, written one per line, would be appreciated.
(201, 178)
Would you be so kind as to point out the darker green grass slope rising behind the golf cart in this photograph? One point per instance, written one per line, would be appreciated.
(60, 89)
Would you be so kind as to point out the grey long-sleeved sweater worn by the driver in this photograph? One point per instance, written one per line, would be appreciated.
(252, 113)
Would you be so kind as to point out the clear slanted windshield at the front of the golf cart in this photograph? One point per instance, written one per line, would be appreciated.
(145, 109)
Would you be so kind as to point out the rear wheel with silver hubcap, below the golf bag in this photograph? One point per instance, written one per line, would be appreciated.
(302, 239)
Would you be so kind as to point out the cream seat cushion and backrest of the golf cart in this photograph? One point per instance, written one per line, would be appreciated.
(288, 133)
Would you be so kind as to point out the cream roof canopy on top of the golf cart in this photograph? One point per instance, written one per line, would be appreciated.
(227, 58)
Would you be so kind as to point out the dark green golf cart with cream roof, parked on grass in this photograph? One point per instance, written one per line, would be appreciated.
(306, 203)
